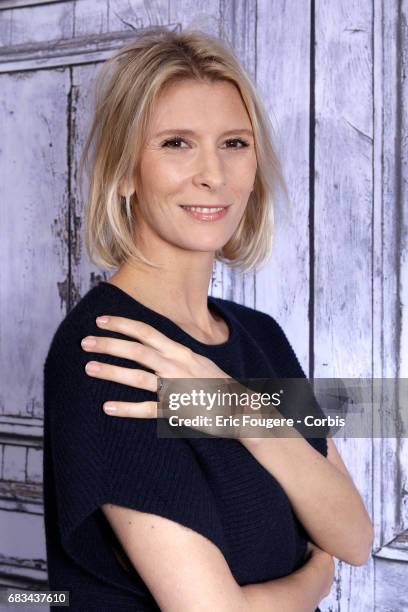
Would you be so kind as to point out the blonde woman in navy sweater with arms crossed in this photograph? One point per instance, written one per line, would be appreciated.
(138, 522)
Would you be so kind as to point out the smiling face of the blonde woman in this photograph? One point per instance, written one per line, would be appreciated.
(199, 152)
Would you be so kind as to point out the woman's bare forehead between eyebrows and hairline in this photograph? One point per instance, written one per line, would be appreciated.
(193, 104)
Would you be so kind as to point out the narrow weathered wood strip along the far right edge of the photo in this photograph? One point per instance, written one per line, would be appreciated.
(390, 277)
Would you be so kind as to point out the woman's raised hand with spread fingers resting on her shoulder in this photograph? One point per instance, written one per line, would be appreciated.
(167, 358)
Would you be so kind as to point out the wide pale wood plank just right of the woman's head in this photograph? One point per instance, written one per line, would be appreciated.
(342, 238)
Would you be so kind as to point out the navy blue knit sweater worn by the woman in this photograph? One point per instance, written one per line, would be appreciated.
(211, 485)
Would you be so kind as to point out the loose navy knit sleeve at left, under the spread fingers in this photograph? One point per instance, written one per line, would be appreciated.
(97, 459)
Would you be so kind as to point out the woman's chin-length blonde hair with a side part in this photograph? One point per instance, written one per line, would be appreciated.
(126, 87)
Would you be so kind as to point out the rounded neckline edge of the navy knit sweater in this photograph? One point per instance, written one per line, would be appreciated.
(213, 303)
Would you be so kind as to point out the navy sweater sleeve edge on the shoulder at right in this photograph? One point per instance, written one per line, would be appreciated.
(287, 365)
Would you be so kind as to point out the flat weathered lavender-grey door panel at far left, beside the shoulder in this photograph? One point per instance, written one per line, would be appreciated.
(34, 254)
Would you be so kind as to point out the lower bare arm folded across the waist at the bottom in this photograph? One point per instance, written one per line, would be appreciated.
(186, 572)
